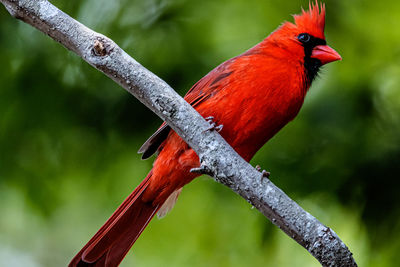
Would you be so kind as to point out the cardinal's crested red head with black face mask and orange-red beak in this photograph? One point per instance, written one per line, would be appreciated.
(305, 39)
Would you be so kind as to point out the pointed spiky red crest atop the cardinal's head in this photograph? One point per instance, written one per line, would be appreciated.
(313, 20)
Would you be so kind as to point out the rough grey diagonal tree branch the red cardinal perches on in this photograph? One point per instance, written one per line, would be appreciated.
(217, 158)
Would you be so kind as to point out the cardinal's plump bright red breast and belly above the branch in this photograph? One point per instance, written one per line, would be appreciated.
(253, 111)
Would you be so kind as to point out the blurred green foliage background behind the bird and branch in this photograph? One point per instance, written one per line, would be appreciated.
(69, 135)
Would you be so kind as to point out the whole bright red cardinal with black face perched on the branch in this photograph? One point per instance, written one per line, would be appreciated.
(252, 95)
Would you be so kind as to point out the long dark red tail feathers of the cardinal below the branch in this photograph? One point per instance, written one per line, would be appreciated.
(110, 244)
